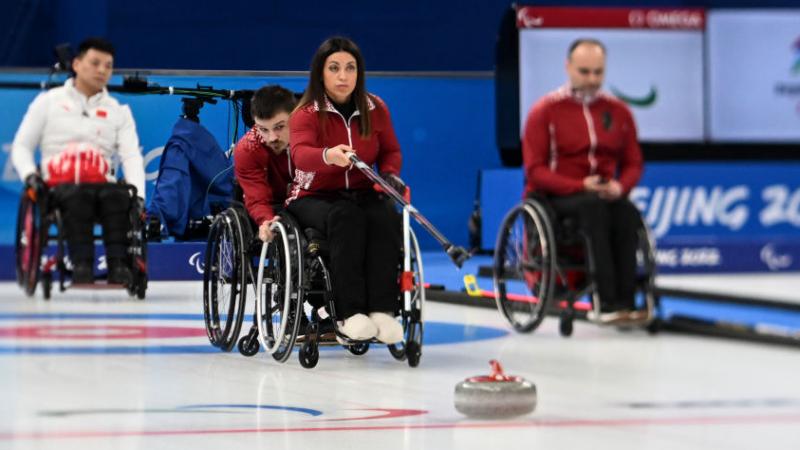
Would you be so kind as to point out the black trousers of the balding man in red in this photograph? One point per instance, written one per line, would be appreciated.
(611, 227)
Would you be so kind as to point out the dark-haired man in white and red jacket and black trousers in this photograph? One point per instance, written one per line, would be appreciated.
(82, 131)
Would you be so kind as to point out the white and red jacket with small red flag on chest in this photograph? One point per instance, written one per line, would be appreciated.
(63, 118)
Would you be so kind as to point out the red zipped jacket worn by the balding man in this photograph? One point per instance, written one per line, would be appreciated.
(567, 139)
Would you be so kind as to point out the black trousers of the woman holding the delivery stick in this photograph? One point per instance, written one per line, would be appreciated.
(363, 230)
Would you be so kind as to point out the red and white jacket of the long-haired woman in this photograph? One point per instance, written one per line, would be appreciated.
(313, 175)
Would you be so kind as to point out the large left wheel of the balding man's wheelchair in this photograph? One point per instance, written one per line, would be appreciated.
(524, 266)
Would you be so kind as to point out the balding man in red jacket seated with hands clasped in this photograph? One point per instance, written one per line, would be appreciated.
(580, 149)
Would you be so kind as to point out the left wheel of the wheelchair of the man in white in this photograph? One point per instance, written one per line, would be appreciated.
(31, 236)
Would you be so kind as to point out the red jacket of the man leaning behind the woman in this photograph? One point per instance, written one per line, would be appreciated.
(263, 176)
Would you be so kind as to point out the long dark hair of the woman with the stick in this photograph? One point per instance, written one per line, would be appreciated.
(316, 85)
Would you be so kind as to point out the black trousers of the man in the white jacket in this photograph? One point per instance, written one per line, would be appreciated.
(82, 205)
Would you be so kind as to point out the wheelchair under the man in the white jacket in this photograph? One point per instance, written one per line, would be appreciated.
(39, 225)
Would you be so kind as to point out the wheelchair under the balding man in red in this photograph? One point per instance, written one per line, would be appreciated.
(542, 264)
